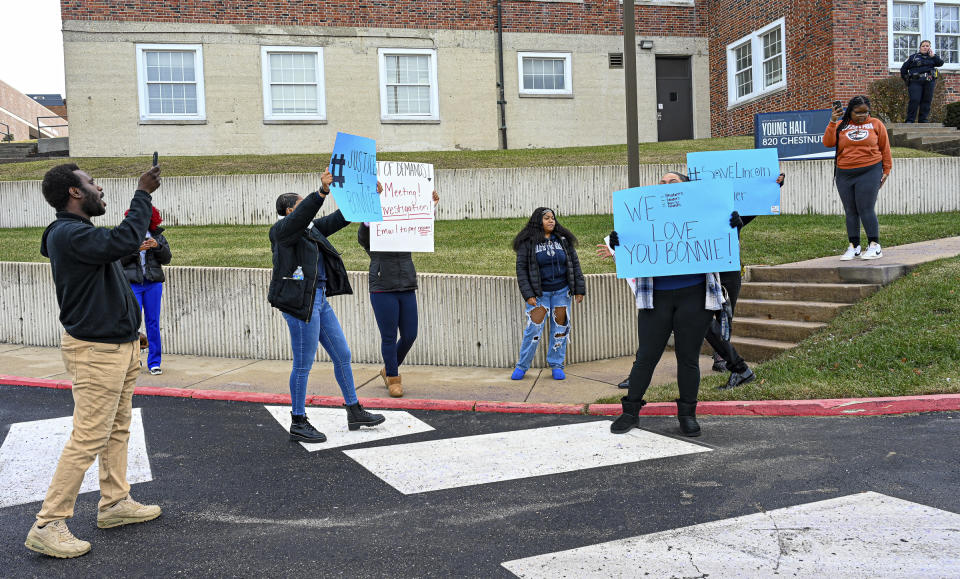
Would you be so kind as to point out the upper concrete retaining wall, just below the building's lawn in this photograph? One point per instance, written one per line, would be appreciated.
(927, 185)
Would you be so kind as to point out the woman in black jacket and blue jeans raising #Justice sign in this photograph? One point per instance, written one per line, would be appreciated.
(306, 270)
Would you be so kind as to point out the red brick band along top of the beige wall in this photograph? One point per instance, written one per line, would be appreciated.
(590, 17)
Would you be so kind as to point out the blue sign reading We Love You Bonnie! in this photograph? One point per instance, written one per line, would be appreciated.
(675, 229)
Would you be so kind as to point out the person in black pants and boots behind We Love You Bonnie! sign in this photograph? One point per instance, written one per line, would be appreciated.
(682, 304)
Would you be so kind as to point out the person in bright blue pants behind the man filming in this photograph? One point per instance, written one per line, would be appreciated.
(144, 271)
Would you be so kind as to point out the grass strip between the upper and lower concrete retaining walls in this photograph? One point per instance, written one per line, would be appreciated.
(483, 246)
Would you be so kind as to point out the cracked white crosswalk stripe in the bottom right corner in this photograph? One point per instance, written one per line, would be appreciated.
(862, 535)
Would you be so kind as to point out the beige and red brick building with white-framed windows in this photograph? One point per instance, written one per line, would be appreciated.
(211, 77)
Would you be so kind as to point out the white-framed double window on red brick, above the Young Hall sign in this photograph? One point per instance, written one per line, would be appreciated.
(757, 64)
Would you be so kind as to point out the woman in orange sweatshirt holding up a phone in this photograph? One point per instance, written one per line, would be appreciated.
(863, 164)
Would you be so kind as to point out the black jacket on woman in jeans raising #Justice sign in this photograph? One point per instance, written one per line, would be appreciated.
(298, 242)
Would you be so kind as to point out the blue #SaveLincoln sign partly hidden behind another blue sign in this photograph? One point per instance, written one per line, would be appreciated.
(753, 173)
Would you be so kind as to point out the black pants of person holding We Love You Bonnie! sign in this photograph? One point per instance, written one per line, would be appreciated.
(680, 311)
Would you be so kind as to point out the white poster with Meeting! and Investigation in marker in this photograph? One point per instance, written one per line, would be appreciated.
(407, 202)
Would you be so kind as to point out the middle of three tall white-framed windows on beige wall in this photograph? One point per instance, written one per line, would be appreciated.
(292, 83)
